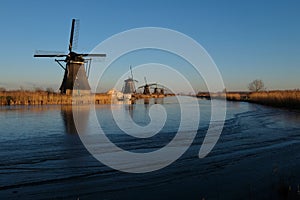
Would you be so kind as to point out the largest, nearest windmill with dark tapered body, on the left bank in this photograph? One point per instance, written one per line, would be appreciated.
(75, 76)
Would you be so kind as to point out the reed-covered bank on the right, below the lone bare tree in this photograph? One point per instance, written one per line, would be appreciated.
(277, 98)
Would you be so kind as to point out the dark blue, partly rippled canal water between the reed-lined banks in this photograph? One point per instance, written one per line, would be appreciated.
(256, 157)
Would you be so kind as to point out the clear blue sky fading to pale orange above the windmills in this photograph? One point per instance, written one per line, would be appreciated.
(247, 40)
